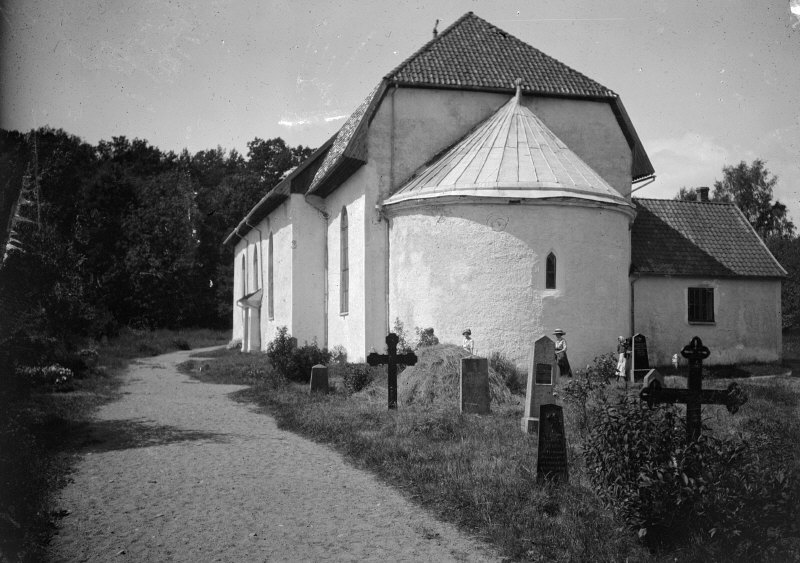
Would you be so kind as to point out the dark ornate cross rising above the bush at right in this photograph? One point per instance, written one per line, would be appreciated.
(694, 397)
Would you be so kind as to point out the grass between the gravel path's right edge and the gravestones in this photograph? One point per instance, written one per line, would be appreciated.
(477, 472)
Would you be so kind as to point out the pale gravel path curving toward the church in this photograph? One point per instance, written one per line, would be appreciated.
(176, 471)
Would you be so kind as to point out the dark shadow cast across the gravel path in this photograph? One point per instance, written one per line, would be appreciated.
(112, 435)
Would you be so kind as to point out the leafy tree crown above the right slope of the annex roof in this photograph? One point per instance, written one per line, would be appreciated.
(751, 189)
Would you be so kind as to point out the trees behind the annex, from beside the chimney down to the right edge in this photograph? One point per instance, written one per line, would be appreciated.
(751, 188)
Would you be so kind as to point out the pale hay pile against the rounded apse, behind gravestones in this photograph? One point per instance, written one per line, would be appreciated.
(435, 378)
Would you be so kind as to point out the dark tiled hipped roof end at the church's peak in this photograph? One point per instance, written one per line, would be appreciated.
(472, 53)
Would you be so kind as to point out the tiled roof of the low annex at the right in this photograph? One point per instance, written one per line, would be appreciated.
(688, 238)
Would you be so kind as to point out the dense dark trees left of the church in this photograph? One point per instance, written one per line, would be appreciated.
(124, 234)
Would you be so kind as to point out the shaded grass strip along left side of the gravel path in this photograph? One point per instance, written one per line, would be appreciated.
(41, 427)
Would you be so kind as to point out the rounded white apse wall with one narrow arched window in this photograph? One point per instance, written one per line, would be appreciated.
(482, 266)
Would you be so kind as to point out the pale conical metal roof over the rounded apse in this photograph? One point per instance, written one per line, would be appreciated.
(511, 154)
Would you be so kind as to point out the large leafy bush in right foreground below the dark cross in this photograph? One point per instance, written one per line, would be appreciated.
(723, 493)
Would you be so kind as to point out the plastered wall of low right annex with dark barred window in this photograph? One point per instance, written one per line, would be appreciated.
(747, 315)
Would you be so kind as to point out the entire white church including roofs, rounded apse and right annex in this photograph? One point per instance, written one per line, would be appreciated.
(484, 184)
